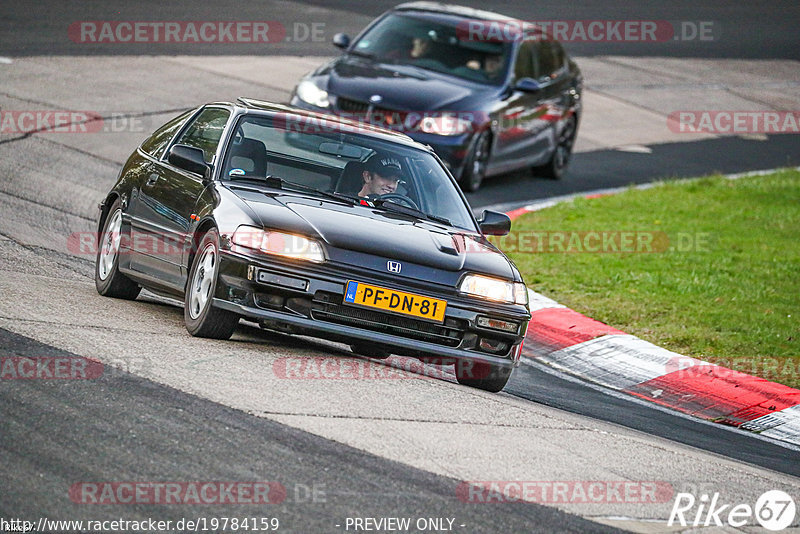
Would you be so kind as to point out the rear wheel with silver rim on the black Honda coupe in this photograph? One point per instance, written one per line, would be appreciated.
(107, 278)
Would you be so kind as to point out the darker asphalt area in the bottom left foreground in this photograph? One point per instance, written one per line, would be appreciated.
(175, 436)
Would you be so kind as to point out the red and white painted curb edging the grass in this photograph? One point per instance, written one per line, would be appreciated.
(593, 351)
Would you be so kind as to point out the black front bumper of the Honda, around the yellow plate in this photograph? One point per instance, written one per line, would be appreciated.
(307, 299)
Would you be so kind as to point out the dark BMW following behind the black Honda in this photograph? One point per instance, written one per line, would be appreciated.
(491, 94)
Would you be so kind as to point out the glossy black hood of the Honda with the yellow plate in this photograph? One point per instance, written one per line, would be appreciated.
(379, 233)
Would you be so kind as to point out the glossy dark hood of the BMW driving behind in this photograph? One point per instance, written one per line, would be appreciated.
(401, 87)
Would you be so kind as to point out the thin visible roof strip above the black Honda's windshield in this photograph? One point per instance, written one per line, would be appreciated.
(272, 108)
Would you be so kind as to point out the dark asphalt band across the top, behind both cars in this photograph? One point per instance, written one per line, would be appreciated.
(758, 30)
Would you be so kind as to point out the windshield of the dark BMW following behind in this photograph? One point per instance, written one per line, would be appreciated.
(438, 43)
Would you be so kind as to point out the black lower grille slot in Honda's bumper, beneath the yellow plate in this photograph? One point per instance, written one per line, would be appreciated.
(449, 334)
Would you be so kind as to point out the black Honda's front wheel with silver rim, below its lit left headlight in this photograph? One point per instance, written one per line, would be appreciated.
(201, 318)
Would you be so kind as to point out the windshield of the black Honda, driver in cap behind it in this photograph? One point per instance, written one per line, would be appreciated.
(317, 153)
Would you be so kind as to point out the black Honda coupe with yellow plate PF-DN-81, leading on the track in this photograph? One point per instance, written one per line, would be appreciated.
(315, 225)
